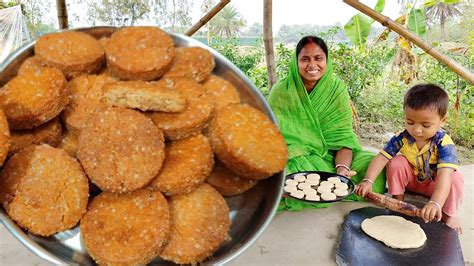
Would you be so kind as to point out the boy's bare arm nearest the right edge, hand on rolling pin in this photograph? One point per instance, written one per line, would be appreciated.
(433, 209)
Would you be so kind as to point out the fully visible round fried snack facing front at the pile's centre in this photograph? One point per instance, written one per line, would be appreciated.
(121, 150)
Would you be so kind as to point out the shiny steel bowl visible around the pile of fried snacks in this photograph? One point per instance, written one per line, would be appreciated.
(250, 212)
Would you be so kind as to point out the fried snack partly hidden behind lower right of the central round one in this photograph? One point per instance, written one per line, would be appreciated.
(187, 164)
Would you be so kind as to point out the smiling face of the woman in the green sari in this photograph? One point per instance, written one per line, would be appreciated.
(311, 63)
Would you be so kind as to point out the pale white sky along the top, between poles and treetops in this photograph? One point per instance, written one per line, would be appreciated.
(316, 12)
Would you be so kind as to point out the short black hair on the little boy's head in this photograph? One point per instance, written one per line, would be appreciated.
(427, 96)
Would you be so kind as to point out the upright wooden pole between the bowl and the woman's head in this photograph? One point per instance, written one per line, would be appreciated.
(268, 41)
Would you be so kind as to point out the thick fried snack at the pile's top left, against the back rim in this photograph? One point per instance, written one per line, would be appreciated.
(73, 52)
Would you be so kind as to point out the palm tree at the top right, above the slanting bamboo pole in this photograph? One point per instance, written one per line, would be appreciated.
(442, 10)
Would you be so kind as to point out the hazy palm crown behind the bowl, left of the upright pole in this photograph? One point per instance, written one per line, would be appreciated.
(228, 22)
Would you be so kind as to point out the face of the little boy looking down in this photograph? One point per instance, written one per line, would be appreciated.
(423, 124)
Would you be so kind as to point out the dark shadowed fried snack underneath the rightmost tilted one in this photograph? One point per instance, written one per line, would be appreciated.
(227, 182)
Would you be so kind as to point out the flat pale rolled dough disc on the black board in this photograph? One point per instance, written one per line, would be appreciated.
(394, 231)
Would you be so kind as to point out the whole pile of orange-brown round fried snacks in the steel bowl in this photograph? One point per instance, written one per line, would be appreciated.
(149, 125)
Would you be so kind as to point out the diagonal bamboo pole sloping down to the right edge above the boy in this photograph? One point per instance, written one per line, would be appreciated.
(428, 48)
